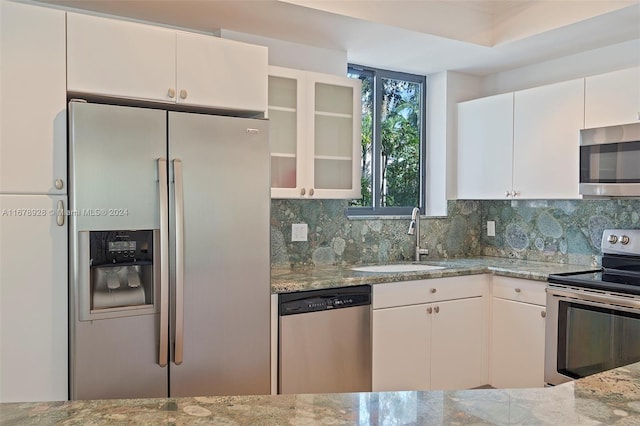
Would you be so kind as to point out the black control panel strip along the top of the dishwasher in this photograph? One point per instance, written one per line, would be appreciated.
(322, 300)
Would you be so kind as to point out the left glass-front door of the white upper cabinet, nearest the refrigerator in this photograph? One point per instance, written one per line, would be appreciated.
(286, 127)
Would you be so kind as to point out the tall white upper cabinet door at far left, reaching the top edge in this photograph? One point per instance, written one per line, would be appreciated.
(32, 100)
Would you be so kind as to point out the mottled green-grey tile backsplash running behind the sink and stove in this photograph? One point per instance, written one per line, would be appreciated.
(554, 231)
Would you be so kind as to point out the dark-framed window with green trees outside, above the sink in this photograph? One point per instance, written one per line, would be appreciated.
(393, 142)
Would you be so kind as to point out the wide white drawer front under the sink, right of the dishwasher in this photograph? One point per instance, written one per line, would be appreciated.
(426, 291)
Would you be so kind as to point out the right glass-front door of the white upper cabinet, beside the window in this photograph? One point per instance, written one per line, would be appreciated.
(334, 125)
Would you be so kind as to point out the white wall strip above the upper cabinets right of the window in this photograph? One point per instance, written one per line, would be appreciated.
(597, 61)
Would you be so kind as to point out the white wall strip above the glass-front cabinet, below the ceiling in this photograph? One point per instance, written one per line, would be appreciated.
(294, 55)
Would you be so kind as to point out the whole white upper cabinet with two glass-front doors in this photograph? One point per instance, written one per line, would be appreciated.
(315, 126)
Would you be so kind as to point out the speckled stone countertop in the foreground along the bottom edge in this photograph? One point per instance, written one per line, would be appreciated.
(609, 398)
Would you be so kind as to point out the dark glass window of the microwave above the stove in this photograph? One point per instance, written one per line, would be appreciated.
(610, 163)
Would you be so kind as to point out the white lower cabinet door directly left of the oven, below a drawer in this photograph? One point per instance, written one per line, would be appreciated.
(517, 344)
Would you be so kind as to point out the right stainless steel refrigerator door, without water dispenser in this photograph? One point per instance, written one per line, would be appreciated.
(225, 330)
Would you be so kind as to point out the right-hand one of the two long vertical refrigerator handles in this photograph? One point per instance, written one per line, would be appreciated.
(179, 229)
